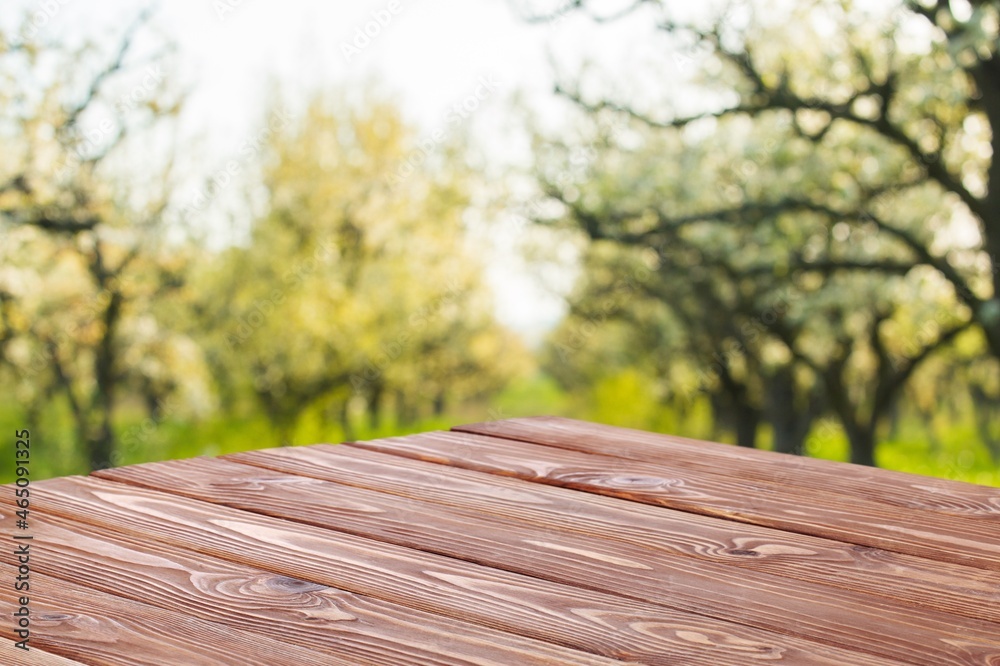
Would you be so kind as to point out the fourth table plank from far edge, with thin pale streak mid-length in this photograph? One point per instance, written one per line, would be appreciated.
(815, 612)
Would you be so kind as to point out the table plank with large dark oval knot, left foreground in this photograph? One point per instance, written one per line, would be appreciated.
(352, 627)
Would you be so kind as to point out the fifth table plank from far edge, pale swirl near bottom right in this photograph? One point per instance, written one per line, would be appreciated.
(561, 614)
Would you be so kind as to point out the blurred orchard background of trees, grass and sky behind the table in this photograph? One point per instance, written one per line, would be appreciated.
(237, 224)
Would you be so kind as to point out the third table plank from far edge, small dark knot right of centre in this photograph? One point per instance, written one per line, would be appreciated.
(974, 593)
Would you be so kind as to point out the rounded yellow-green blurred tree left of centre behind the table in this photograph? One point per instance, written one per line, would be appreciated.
(362, 288)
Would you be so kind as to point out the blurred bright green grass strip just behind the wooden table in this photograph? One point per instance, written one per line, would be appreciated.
(625, 400)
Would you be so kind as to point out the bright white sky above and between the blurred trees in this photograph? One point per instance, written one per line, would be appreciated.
(433, 54)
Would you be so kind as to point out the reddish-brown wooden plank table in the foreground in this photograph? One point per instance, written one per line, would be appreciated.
(524, 541)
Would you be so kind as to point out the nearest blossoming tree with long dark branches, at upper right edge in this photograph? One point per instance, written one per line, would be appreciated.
(925, 99)
